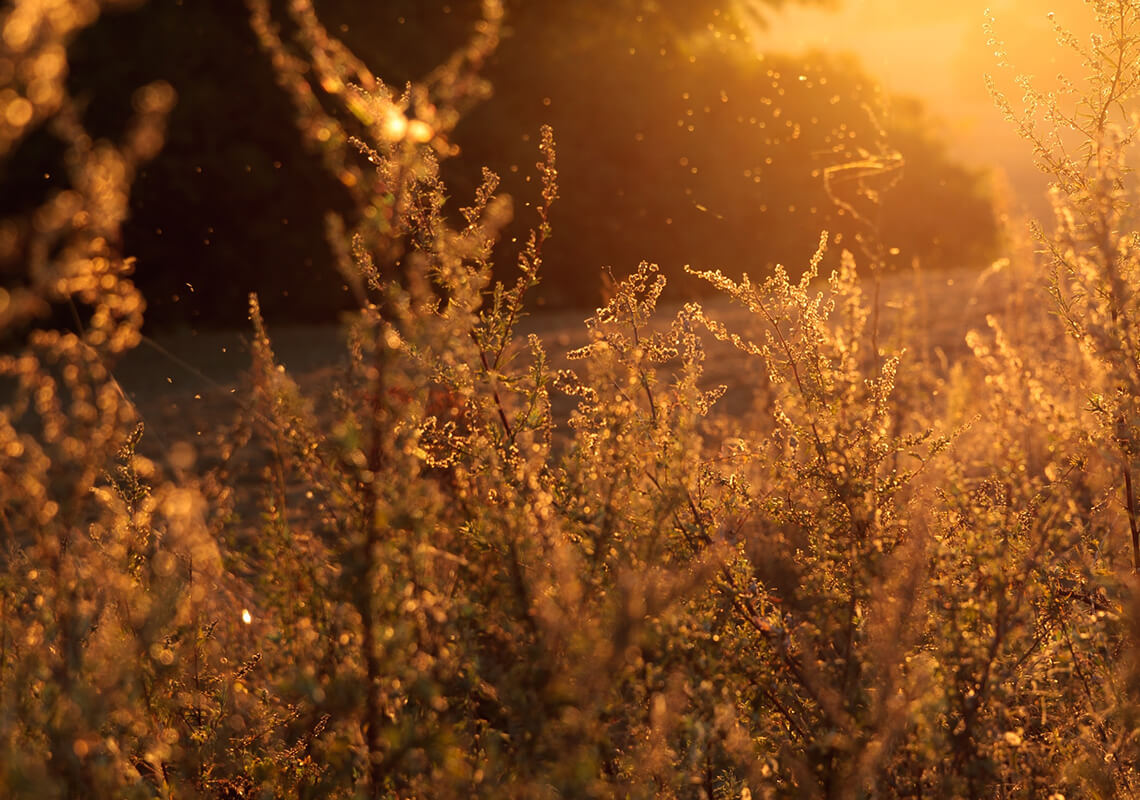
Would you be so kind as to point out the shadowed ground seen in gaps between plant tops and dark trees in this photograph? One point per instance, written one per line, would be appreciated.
(190, 386)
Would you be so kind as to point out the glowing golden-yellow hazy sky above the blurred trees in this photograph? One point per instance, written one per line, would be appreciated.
(940, 52)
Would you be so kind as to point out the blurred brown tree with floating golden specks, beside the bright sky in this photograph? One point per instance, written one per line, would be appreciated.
(694, 149)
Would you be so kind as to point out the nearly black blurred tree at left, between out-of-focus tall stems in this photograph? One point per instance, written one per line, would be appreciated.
(234, 203)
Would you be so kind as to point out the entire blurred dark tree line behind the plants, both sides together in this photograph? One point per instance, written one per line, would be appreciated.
(678, 144)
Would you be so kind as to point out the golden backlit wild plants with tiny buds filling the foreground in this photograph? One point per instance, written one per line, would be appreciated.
(890, 577)
